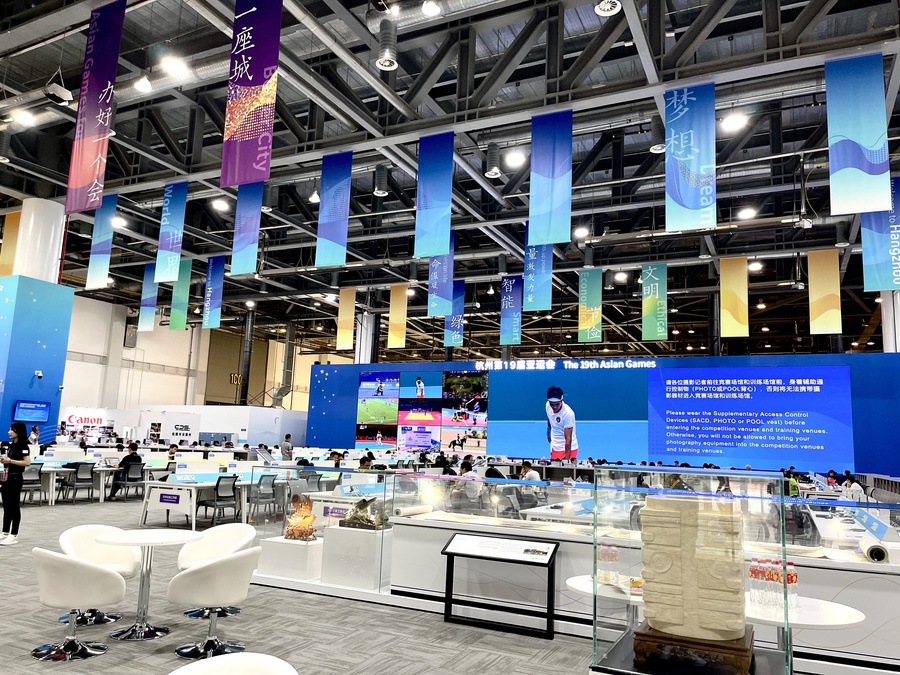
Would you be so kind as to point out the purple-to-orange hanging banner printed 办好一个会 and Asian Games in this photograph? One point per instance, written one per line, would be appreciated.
(96, 106)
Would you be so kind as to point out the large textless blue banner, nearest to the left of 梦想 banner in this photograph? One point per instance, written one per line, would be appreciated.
(550, 206)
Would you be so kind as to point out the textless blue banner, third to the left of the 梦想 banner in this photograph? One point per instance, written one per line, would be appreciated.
(334, 210)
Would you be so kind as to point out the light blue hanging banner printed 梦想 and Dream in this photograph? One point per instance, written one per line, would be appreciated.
(691, 158)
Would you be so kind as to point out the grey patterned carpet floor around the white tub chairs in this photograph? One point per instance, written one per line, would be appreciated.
(317, 634)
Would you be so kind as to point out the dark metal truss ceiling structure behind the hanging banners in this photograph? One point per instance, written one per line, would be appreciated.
(481, 68)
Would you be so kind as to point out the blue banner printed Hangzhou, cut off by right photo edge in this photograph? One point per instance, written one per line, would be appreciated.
(880, 234)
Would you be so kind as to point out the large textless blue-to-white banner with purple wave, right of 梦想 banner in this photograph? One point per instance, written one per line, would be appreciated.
(857, 135)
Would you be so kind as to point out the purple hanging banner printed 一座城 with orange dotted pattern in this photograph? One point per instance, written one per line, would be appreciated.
(252, 85)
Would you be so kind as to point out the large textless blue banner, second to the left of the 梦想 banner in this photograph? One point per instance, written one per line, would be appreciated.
(434, 194)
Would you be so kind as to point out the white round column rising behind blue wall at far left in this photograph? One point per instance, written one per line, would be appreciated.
(42, 225)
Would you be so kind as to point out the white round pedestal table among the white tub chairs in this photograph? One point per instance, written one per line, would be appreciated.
(146, 539)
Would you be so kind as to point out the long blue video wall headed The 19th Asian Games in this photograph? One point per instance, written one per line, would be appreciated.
(816, 412)
